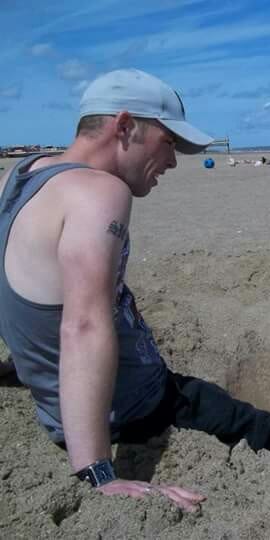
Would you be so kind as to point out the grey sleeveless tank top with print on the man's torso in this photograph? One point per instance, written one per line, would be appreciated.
(32, 330)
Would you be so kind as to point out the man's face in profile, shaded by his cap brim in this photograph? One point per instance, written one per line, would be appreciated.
(151, 151)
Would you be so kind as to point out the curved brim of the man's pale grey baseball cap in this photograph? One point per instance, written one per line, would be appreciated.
(190, 140)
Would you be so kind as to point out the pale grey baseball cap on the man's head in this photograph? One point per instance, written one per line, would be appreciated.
(144, 96)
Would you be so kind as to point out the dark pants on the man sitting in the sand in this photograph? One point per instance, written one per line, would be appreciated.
(192, 403)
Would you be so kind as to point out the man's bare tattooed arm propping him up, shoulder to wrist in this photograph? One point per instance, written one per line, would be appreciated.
(89, 255)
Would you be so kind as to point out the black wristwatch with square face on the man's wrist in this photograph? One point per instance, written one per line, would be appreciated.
(99, 473)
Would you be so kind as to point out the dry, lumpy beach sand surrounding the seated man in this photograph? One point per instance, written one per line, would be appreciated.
(200, 268)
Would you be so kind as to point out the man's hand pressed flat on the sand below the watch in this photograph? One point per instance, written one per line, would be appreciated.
(187, 500)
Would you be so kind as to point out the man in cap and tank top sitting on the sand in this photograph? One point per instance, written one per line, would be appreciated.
(69, 320)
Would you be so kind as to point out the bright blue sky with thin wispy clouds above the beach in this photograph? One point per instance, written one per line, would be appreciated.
(215, 54)
